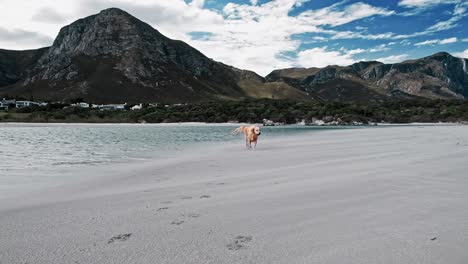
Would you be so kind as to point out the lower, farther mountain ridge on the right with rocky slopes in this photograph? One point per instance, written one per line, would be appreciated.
(440, 76)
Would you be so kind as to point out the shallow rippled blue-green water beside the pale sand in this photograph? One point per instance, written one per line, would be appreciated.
(36, 155)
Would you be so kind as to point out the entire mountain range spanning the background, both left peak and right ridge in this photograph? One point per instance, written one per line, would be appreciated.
(112, 57)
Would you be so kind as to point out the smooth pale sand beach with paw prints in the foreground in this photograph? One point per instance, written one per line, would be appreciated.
(375, 195)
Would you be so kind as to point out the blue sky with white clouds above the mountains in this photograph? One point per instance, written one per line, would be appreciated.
(263, 35)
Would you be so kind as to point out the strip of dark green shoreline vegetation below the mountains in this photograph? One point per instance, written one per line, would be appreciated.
(285, 111)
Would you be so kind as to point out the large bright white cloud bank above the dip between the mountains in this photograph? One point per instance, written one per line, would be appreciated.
(260, 35)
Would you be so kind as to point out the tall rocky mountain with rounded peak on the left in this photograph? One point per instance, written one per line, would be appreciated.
(113, 57)
